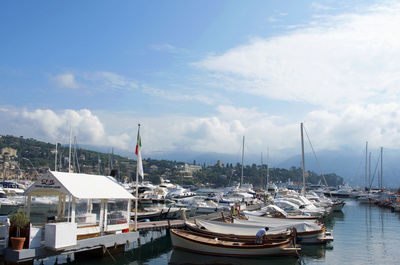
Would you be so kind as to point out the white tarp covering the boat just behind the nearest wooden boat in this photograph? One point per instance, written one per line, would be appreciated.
(250, 228)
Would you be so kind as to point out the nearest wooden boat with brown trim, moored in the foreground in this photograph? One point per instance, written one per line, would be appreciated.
(230, 247)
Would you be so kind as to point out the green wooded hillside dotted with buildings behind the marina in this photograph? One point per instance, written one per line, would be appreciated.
(34, 155)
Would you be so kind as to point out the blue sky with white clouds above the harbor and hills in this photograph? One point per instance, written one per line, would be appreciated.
(200, 75)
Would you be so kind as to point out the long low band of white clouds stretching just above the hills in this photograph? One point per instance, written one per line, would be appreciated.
(219, 133)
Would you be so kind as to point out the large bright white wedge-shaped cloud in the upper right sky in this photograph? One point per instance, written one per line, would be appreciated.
(333, 62)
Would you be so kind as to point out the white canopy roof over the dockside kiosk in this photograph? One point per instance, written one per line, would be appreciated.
(81, 186)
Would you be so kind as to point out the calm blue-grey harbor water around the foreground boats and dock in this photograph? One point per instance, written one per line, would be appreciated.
(363, 234)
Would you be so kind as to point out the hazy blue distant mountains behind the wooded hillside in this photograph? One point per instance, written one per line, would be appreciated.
(346, 163)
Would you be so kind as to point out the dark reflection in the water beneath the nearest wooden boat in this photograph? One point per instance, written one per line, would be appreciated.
(180, 257)
